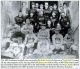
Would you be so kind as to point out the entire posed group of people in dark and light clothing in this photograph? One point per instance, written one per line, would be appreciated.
(41, 31)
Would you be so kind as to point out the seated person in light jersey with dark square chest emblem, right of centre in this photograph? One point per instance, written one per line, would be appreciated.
(57, 40)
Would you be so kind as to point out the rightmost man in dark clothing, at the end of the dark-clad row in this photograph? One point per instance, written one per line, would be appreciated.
(65, 24)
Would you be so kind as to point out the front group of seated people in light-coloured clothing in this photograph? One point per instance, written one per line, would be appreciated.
(25, 43)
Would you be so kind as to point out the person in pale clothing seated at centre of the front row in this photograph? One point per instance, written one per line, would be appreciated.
(43, 42)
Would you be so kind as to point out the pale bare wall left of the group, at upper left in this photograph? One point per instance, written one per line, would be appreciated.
(9, 10)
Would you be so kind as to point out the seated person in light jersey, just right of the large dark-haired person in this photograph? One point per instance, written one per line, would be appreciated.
(30, 41)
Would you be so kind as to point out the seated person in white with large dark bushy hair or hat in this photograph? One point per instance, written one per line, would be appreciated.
(16, 48)
